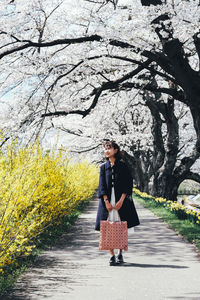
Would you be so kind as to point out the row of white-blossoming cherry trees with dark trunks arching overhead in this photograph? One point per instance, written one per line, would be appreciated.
(128, 69)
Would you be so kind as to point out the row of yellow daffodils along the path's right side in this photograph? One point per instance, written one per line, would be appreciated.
(181, 211)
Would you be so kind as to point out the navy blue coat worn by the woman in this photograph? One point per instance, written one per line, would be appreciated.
(123, 183)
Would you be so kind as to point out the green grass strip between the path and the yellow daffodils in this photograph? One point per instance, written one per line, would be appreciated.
(190, 231)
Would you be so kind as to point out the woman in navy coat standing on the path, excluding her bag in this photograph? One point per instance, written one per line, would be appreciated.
(115, 193)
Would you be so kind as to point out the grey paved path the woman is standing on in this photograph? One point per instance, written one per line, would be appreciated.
(159, 265)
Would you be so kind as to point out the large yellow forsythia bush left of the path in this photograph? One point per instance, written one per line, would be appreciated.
(36, 190)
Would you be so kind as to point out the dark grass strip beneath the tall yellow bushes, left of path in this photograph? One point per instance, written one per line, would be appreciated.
(45, 241)
